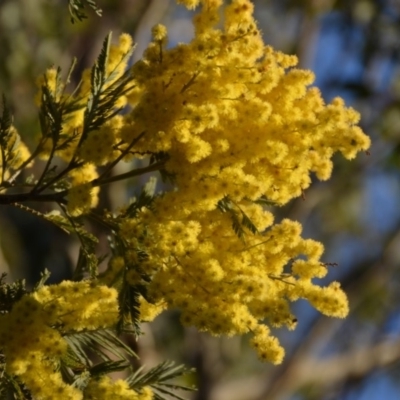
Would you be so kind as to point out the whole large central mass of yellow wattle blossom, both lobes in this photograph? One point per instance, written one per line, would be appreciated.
(239, 122)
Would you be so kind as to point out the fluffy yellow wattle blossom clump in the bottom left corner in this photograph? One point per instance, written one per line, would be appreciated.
(31, 335)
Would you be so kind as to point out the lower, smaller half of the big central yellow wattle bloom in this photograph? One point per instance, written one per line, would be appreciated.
(228, 286)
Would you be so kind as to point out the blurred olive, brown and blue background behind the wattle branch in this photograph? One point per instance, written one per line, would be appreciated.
(354, 49)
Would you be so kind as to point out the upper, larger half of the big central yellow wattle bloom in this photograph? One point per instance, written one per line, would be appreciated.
(236, 115)
